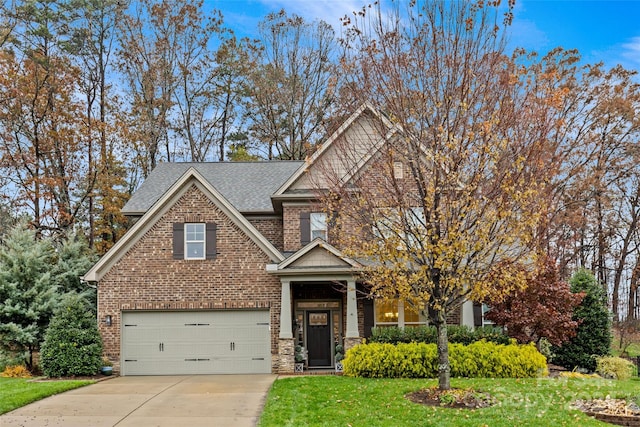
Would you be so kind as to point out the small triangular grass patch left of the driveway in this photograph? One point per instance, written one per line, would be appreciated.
(17, 392)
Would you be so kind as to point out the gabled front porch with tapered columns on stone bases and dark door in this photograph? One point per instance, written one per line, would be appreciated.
(319, 305)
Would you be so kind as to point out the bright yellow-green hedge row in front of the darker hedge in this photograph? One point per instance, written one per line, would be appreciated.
(481, 359)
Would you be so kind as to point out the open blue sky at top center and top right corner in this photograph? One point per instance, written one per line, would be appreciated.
(602, 30)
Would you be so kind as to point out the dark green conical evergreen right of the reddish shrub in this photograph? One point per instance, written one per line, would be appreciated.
(593, 336)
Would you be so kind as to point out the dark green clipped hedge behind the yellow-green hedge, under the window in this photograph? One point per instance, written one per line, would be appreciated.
(429, 335)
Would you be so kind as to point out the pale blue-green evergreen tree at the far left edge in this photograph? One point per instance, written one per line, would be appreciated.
(28, 293)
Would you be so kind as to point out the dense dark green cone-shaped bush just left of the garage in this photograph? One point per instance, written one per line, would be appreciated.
(72, 344)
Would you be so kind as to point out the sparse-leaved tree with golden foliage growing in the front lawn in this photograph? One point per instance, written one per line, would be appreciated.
(449, 208)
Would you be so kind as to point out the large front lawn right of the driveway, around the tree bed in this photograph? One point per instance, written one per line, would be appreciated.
(344, 401)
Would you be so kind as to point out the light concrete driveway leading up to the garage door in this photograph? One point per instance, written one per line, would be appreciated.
(192, 401)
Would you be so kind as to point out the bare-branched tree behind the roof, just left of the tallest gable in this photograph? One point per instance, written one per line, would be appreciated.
(293, 88)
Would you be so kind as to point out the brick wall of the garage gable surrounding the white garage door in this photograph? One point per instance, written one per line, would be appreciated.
(148, 278)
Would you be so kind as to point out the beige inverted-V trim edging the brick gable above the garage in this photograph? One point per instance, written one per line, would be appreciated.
(162, 205)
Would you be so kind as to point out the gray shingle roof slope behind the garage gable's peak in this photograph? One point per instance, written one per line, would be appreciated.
(247, 185)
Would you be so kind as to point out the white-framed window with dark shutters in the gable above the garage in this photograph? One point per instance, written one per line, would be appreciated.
(194, 240)
